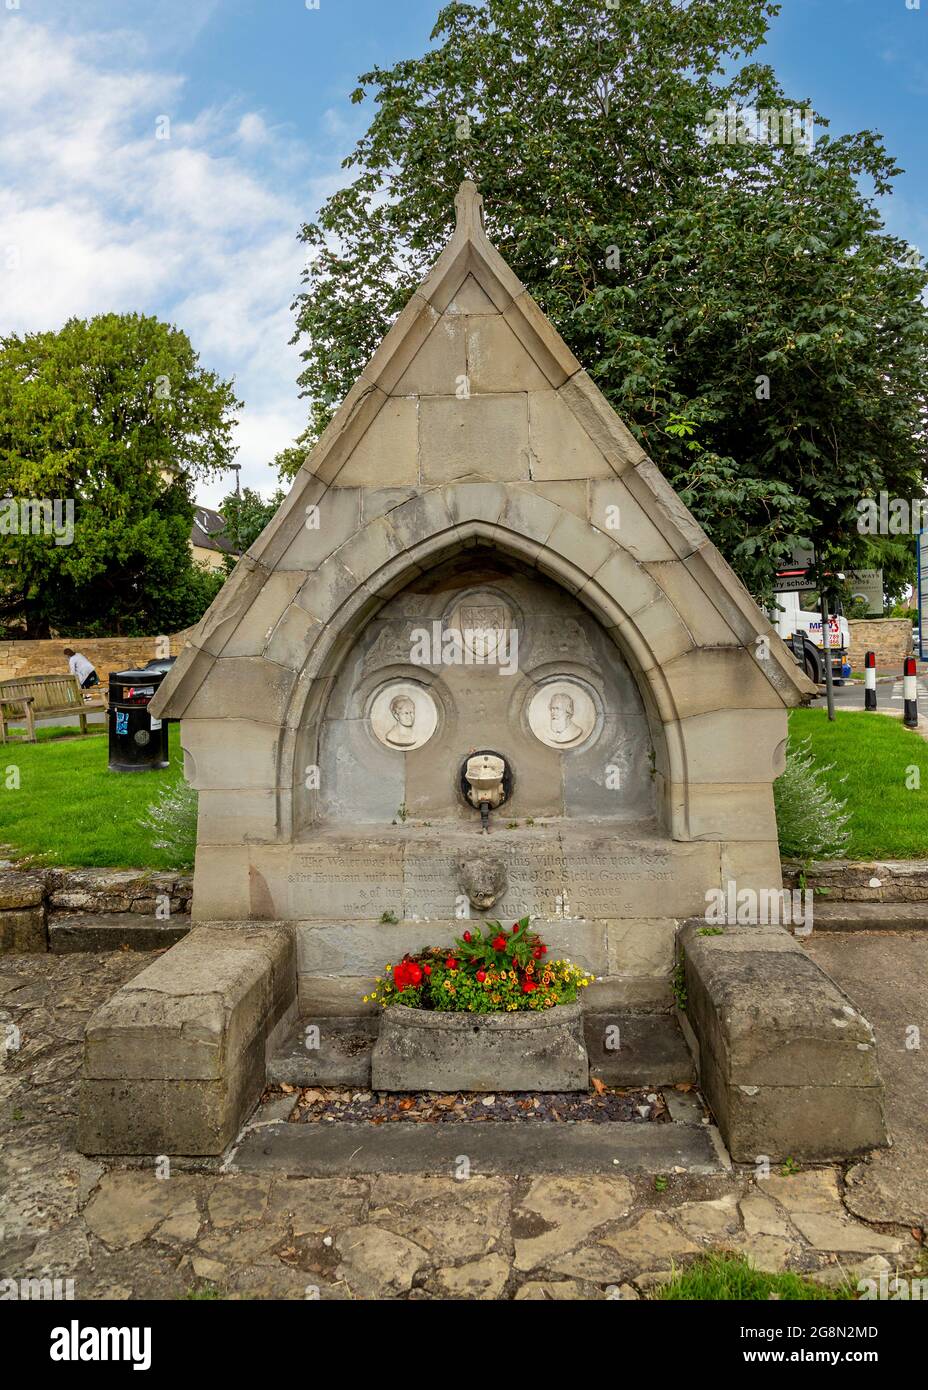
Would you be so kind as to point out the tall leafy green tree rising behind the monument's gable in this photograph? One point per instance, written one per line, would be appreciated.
(737, 298)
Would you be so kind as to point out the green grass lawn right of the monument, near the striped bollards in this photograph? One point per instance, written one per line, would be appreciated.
(873, 757)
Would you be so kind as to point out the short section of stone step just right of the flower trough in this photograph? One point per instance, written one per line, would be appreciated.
(637, 1050)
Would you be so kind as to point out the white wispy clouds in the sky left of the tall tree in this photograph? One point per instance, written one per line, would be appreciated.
(199, 229)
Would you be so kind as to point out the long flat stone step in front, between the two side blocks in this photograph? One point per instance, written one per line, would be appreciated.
(502, 1147)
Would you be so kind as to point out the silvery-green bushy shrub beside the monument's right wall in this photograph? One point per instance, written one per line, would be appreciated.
(811, 822)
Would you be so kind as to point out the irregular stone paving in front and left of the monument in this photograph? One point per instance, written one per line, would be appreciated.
(129, 1234)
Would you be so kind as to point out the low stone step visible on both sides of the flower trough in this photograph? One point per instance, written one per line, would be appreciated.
(624, 1050)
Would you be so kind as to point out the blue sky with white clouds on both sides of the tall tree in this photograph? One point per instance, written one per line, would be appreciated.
(201, 229)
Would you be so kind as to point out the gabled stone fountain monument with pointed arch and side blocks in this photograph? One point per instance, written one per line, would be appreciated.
(483, 662)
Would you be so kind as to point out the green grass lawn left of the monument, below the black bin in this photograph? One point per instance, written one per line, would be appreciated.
(70, 810)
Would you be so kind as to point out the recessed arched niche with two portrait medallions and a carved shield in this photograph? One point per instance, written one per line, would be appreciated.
(524, 644)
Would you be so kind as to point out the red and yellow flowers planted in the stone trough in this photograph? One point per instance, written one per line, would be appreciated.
(492, 972)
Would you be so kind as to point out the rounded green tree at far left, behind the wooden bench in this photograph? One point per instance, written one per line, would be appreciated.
(116, 419)
